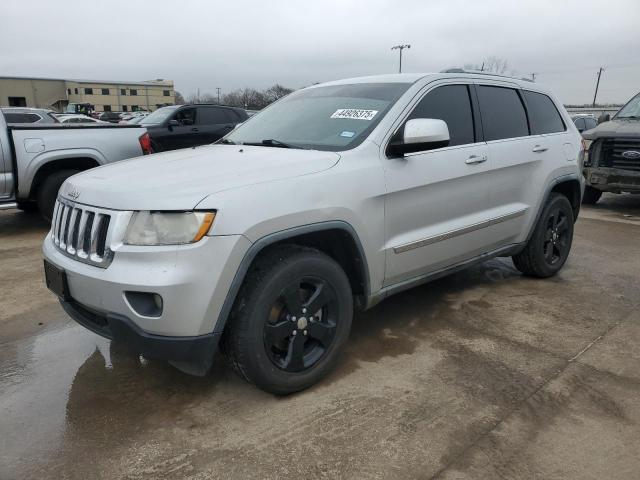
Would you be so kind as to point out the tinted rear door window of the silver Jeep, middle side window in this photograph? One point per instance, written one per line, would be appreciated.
(503, 114)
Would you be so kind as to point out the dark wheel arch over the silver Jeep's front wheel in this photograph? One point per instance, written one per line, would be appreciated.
(337, 239)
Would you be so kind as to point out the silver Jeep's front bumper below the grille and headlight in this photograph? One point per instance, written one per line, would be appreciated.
(193, 281)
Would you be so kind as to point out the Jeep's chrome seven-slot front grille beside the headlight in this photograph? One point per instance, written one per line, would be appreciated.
(81, 232)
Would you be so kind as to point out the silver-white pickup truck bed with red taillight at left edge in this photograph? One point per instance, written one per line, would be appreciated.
(36, 159)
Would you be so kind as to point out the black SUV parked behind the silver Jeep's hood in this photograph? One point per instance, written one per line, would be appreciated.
(182, 126)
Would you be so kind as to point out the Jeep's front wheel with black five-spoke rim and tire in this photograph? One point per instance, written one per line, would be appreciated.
(291, 320)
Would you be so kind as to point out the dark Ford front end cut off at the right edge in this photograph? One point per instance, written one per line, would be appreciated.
(613, 163)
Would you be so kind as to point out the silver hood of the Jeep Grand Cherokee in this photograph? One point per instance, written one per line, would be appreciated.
(180, 179)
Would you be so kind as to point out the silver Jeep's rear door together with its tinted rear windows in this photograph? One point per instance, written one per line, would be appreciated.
(521, 142)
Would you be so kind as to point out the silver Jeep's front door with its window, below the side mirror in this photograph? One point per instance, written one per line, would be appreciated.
(437, 201)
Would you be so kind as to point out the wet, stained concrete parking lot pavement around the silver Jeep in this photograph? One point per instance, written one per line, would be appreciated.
(484, 374)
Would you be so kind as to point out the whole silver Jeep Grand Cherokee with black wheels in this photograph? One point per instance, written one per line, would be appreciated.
(336, 196)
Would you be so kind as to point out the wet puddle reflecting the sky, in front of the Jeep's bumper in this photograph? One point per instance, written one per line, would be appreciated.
(69, 382)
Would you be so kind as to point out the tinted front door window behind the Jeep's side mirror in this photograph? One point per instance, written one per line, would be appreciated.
(452, 104)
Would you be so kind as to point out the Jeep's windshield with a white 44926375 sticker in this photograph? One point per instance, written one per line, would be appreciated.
(330, 118)
